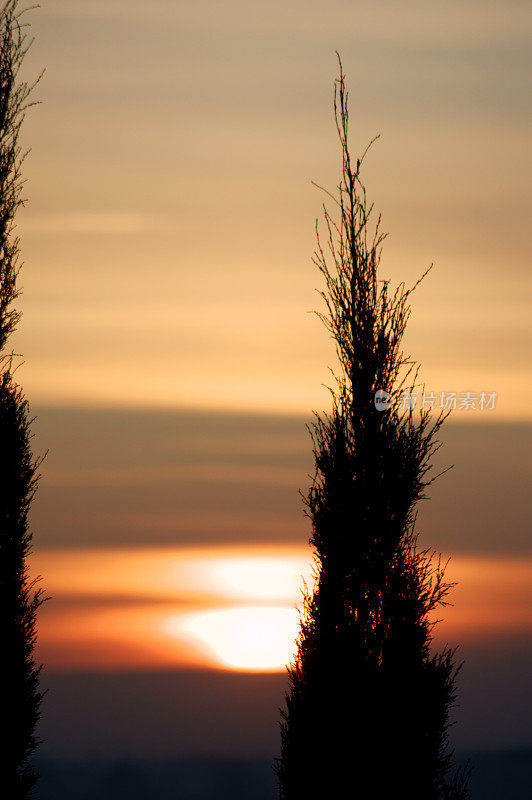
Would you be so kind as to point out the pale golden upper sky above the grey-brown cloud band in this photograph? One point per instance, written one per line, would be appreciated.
(170, 220)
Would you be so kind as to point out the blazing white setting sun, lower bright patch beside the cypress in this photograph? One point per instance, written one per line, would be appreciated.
(254, 638)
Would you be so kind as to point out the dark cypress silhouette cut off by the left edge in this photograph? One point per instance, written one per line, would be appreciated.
(19, 598)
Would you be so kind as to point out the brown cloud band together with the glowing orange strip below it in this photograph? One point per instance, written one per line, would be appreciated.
(149, 524)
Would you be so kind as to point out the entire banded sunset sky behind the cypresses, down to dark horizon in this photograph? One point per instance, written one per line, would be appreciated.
(170, 357)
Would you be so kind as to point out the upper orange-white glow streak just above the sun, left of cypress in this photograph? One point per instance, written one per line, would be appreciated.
(260, 574)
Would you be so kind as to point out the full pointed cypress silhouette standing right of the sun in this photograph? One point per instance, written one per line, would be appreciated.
(368, 703)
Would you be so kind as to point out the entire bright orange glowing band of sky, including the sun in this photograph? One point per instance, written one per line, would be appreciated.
(228, 607)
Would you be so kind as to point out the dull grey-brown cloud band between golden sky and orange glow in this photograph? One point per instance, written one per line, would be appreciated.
(125, 477)
